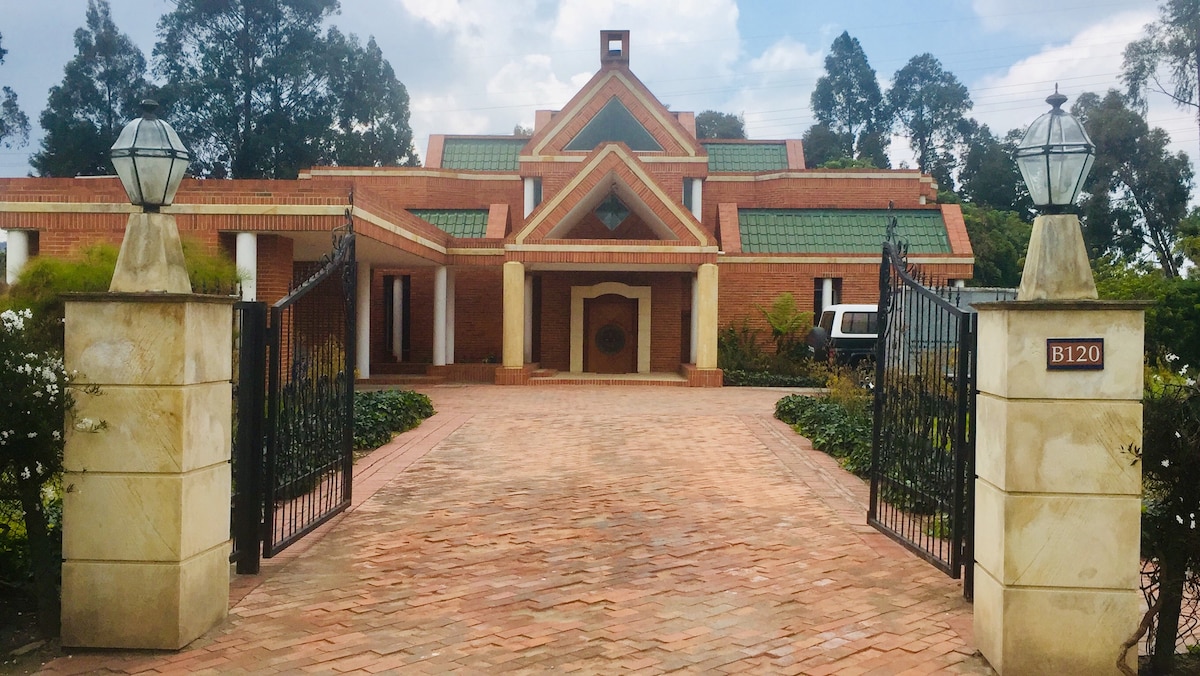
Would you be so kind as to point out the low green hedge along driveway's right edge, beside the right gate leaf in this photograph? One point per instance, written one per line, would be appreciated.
(832, 428)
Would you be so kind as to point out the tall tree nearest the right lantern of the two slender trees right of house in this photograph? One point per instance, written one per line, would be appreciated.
(931, 104)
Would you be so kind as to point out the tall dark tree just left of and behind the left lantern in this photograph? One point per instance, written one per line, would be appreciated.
(100, 92)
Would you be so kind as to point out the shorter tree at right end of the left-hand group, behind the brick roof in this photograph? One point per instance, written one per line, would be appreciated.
(371, 121)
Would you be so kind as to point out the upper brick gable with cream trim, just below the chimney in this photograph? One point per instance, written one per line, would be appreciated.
(596, 98)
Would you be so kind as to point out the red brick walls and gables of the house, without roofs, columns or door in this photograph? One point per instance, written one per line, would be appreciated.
(562, 244)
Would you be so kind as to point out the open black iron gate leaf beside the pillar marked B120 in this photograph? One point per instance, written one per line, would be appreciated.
(923, 445)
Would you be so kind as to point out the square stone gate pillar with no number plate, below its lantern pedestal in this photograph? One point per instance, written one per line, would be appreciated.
(146, 537)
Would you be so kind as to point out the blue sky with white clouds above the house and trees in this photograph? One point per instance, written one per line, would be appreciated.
(483, 67)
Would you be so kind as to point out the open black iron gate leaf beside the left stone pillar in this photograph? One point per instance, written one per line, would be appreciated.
(293, 458)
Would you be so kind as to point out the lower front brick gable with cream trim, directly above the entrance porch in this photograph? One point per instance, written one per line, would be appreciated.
(615, 170)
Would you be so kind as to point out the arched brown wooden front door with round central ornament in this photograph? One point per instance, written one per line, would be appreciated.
(610, 330)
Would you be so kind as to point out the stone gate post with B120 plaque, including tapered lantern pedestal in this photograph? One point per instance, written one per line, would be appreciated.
(1058, 489)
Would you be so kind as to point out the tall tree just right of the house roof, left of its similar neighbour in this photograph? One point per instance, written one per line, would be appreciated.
(849, 101)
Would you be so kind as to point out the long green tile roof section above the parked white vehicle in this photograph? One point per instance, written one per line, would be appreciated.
(838, 231)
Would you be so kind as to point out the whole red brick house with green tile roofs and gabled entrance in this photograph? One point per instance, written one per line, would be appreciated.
(610, 242)
